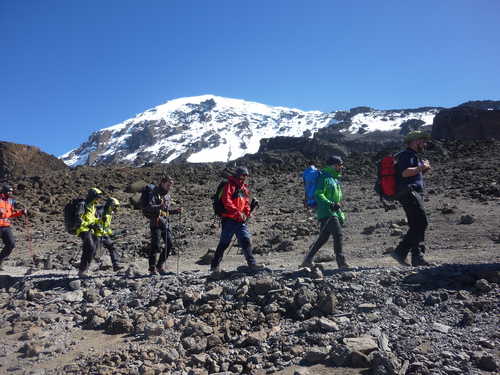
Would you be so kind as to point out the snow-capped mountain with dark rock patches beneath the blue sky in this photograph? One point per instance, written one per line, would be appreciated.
(210, 128)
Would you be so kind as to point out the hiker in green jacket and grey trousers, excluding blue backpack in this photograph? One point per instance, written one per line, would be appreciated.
(328, 196)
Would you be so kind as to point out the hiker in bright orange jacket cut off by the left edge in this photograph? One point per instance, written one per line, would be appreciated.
(7, 211)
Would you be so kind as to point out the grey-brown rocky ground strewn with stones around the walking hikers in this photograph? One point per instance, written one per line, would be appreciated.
(376, 318)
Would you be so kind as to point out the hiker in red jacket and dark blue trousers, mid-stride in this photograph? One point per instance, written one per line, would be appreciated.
(235, 199)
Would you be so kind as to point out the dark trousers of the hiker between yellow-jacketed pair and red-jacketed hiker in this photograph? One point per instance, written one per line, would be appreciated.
(160, 229)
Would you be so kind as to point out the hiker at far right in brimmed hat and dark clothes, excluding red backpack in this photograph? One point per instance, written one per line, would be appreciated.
(410, 169)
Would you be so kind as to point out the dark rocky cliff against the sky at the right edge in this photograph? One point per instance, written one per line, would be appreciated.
(471, 120)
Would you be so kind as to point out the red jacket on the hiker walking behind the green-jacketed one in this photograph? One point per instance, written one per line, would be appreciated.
(236, 199)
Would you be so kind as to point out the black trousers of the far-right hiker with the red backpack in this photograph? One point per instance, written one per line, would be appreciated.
(413, 206)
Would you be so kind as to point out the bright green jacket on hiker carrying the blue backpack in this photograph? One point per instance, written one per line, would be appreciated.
(328, 191)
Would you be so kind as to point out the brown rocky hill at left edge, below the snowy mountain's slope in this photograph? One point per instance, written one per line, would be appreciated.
(19, 160)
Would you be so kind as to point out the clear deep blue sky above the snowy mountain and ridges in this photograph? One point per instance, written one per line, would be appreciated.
(71, 67)
